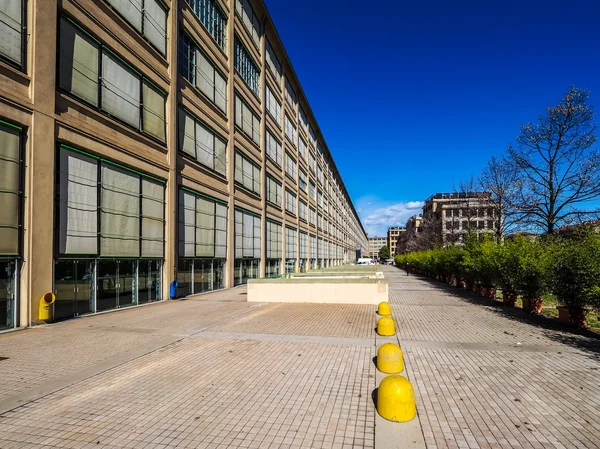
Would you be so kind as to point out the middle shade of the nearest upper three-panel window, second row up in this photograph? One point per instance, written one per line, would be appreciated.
(120, 90)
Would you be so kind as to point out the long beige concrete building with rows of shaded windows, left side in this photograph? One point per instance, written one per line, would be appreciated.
(143, 142)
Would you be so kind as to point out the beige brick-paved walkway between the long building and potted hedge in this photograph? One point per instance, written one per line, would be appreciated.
(217, 372)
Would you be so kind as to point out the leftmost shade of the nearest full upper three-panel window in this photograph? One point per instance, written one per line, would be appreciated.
(78, 63)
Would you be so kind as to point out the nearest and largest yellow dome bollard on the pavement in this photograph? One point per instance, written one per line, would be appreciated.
(396, 399)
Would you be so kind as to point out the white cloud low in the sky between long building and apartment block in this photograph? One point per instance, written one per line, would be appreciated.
(376, 218)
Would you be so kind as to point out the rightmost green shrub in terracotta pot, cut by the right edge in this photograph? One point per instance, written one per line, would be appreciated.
(576, 277)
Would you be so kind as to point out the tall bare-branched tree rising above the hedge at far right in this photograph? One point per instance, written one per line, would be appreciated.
(558, 171)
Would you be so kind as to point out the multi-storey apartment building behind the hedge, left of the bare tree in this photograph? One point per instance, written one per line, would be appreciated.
(456, 214)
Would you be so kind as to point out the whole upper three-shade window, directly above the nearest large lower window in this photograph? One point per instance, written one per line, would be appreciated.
(119, 90)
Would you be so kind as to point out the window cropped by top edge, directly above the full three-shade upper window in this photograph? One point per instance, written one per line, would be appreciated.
(149, 17)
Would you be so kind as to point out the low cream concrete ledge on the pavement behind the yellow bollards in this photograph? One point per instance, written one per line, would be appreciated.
(321, 291)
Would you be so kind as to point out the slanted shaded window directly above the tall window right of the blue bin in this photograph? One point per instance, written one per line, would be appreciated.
(201, 143)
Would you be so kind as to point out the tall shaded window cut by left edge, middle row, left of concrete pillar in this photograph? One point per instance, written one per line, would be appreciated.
(10, 189)
